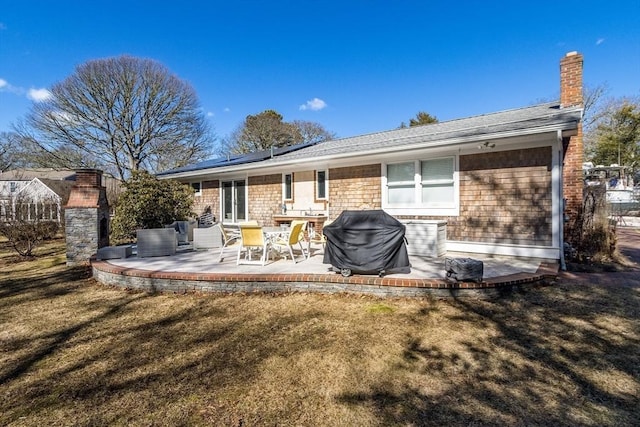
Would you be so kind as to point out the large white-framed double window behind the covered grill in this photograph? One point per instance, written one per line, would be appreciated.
(421, 187)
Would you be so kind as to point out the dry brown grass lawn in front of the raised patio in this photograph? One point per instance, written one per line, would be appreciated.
(75, 352)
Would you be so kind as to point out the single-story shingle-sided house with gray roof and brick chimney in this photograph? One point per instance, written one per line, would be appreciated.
(504, 183)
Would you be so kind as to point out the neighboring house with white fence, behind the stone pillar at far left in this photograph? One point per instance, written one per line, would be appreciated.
(37, 194)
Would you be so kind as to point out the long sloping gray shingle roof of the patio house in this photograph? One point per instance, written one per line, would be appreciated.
(521, 121)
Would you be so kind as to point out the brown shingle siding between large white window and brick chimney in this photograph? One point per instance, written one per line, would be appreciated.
(505, 198)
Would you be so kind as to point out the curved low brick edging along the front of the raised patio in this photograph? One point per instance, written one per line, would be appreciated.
(129, 278)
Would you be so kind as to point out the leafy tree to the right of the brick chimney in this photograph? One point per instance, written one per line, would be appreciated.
(615, 138)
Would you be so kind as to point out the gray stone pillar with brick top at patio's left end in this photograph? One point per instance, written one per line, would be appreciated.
(86, 217)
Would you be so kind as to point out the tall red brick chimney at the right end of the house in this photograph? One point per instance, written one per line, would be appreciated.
(571, 96)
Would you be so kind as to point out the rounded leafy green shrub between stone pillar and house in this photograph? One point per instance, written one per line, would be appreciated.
(148, 202)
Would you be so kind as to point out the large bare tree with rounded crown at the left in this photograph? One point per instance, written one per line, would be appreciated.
(123, 114)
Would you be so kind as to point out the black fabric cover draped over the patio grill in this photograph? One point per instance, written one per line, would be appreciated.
(367, 242)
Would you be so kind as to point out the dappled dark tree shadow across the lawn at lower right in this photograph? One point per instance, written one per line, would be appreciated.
(562, 355)
